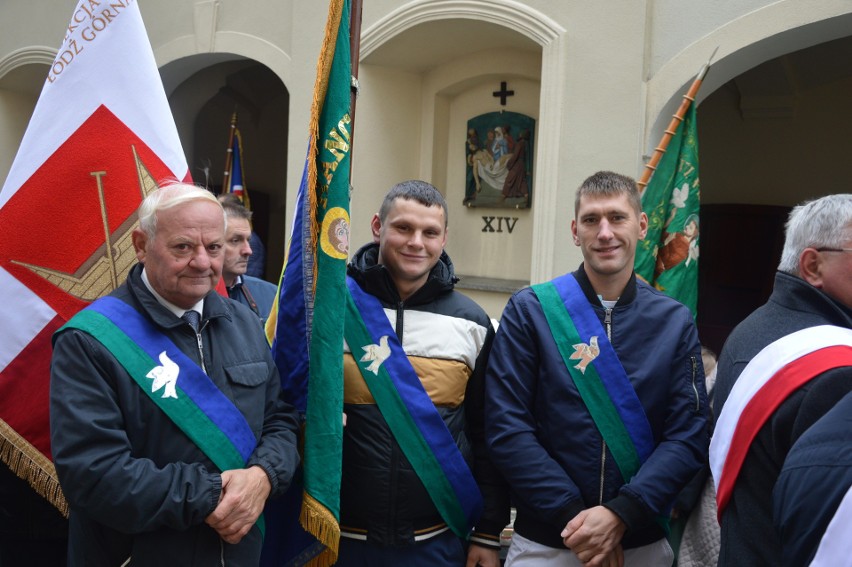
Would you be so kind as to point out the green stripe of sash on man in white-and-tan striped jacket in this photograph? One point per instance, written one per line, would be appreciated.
(403, 426)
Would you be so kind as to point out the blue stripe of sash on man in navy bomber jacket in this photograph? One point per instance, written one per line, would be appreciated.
(609, 368)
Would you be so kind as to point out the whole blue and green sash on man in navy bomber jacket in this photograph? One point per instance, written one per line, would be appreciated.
(604, 386)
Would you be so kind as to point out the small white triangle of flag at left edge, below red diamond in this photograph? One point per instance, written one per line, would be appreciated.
(22, 318)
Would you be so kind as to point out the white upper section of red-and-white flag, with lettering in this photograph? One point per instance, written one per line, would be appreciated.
(96, 58)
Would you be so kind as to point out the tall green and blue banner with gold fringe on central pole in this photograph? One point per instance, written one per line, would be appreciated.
(305, 328)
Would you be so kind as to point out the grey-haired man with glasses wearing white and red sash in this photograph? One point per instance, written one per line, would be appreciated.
(781, 370)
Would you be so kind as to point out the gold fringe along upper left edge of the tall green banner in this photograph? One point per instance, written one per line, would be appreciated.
(329, 43)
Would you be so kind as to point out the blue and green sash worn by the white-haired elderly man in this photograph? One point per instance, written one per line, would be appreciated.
(200, 409)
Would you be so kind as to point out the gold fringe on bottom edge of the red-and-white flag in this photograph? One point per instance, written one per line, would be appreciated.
(29, 464)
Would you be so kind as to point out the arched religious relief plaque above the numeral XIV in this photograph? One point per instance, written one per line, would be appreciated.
(499, 157)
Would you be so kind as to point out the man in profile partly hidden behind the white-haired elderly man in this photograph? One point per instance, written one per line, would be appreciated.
(256, 293)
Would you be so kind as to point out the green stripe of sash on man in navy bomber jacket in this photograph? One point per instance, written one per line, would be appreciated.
(590, 386)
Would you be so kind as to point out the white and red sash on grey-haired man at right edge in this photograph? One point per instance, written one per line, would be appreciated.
(771, 376)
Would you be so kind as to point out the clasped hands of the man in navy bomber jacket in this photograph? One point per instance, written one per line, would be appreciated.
(594, 535)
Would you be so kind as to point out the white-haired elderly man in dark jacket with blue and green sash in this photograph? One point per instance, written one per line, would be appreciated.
(167, 427)
